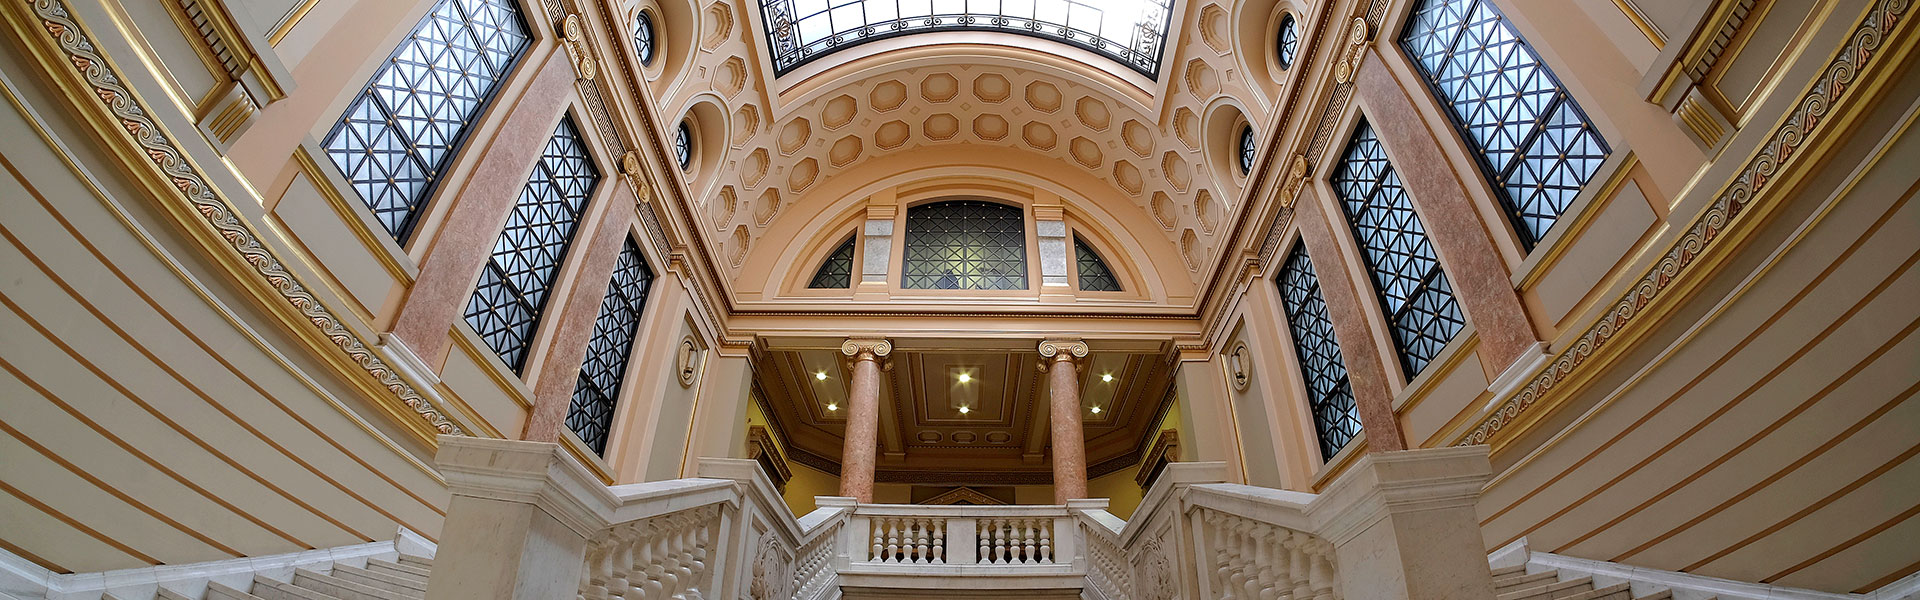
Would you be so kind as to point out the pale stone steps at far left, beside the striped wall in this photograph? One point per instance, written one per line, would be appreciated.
(400, 580)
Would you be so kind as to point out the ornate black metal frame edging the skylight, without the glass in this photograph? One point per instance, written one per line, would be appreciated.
(790, 57)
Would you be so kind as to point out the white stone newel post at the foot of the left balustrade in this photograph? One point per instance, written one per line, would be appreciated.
(516, 524)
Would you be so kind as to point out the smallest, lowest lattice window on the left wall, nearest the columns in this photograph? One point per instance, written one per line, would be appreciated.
(598, 389)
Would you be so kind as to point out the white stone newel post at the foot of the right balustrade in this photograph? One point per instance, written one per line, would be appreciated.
(1404, 526)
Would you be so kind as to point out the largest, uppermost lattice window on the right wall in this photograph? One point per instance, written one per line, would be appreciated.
(1535, 145)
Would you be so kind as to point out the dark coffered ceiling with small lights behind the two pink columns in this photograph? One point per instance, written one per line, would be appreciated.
(965, 414)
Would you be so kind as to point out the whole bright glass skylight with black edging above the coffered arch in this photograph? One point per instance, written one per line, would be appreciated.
(1128, 32)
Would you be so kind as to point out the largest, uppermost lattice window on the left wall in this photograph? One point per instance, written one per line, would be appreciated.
(400, 134)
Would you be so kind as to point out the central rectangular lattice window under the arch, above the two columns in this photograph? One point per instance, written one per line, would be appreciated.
(967, 245)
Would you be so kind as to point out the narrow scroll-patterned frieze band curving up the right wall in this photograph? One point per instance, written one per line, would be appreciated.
(1733, 203)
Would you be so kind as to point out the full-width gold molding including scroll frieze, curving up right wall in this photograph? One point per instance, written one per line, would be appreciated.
(1708, 243)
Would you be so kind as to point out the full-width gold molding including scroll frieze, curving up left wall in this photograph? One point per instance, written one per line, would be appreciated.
(124, 124)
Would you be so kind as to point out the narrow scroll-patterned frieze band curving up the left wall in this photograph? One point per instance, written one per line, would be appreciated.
(218, 214)
